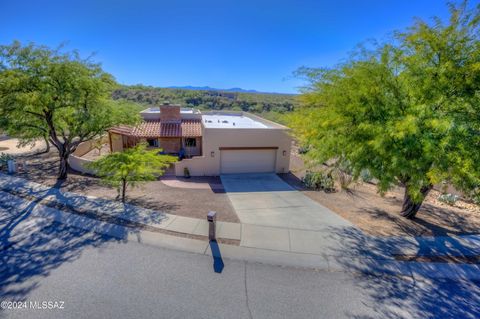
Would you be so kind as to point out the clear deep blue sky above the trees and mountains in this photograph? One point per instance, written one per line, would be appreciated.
(223, 44)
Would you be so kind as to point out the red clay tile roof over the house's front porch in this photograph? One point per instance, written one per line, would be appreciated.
(185, 128)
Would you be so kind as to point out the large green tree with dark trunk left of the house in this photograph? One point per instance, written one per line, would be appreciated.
(58, 95)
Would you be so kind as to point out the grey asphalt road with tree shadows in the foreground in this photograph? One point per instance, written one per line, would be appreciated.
(93, 276)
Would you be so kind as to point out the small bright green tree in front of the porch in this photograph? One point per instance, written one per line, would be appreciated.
(131, 167)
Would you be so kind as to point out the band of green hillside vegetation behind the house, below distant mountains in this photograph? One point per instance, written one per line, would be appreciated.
(270, 105)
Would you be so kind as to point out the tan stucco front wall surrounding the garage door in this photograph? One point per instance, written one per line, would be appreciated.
(213, 139)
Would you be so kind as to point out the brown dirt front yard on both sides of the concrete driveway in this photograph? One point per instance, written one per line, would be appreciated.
(362, 206)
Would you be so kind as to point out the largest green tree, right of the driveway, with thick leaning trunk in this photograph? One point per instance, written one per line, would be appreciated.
(407, 111)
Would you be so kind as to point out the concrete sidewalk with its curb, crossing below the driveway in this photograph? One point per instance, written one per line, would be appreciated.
(346, 249)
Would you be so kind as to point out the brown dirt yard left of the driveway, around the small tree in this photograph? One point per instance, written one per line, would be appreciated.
(42, 168)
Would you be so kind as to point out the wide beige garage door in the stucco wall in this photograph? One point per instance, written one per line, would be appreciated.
(247, 161)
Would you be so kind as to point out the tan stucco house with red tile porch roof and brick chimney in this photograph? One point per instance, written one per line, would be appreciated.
(210, 143)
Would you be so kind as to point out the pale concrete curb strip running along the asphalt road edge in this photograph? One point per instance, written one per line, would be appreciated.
(369, 266)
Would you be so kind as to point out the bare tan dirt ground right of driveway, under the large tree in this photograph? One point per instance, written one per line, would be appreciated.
(379, 216)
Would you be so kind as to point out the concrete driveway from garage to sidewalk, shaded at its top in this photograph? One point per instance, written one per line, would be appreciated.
(266, 200)
